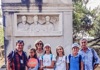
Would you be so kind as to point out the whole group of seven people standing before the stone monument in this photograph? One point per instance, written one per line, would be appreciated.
(42, 58)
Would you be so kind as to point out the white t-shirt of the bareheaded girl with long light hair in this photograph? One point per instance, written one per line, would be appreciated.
(61, 63)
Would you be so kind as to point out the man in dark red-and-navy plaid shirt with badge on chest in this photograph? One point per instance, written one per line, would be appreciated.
(17, 59)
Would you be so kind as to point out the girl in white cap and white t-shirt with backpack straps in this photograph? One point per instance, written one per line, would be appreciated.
(47, 60)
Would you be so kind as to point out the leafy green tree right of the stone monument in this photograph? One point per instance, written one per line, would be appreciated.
(82, 22)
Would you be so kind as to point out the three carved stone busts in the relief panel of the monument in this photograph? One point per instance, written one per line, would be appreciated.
(35, 26)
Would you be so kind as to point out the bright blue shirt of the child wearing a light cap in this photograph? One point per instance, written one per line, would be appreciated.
(74, 62)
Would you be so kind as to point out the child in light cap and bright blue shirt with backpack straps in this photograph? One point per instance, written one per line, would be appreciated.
(74, 60)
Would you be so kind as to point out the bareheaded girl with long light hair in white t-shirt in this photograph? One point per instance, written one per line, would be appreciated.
(61, 61)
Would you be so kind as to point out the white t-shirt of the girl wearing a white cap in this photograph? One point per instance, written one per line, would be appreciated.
(47, 60)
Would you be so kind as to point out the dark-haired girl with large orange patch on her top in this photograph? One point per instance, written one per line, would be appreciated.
(32, 60)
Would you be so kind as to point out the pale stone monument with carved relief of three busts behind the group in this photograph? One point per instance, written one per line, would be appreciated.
(22, 20)
